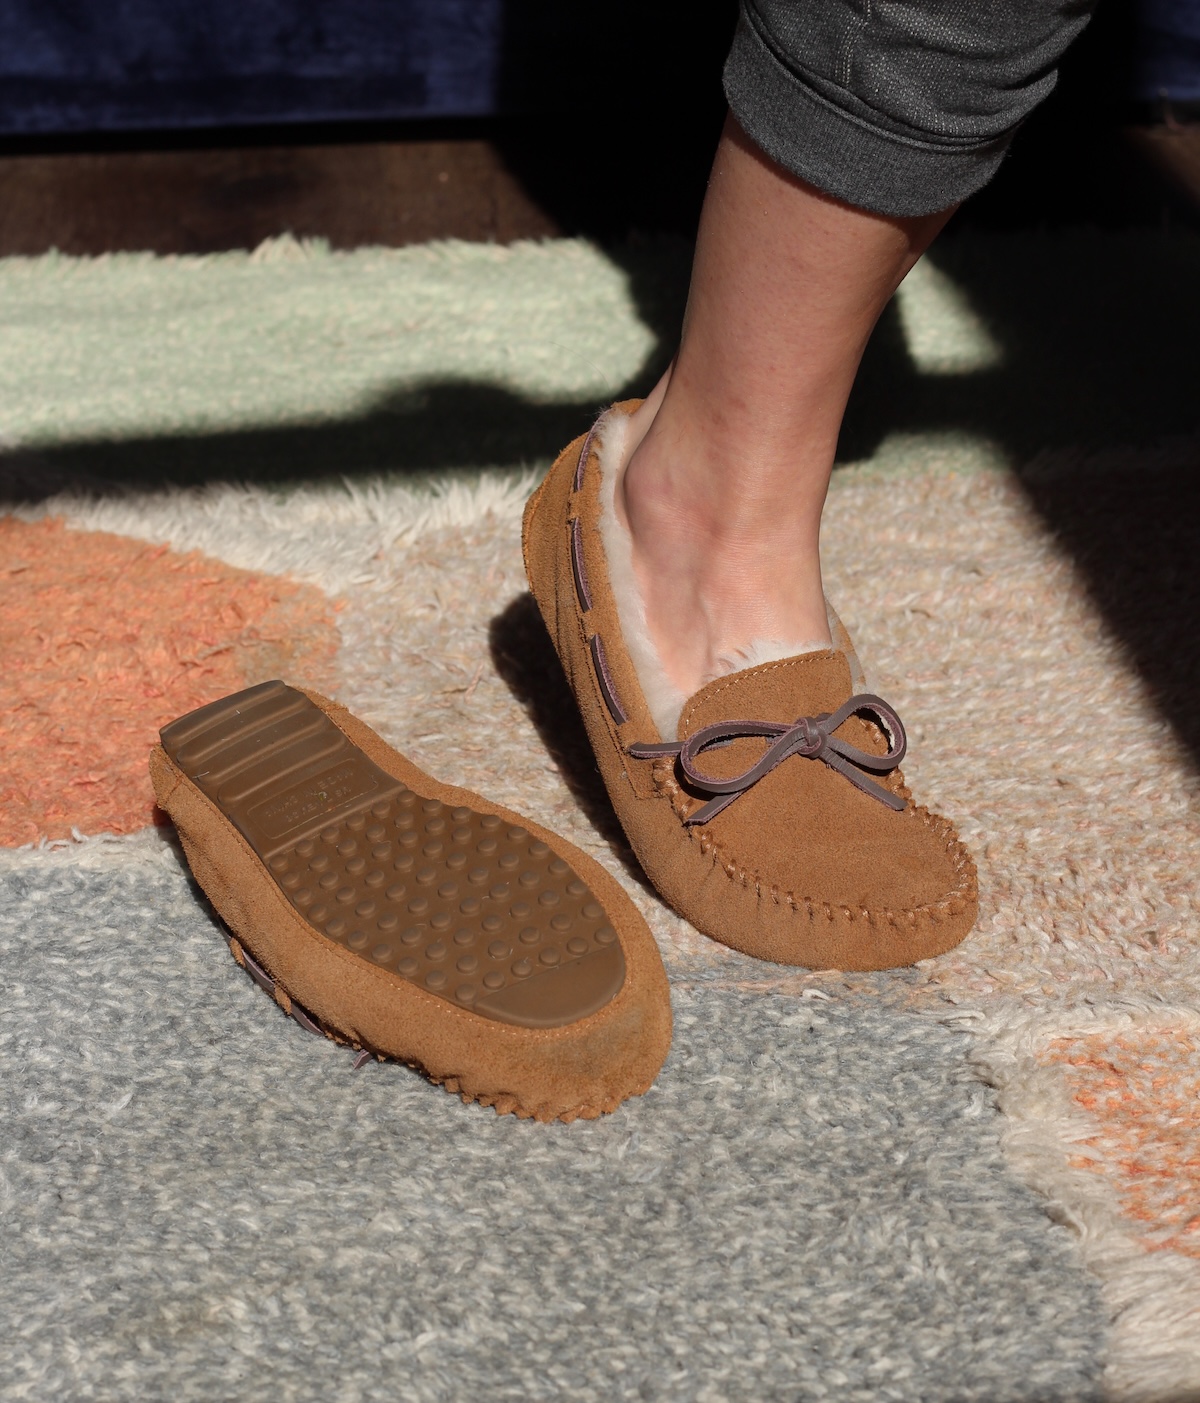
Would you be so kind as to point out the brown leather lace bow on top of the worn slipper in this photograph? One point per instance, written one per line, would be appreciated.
(809, 736)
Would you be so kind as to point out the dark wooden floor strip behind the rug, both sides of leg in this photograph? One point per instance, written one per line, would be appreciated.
(401, 192)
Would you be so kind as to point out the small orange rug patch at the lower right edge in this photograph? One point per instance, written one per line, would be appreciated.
(1145, 1091)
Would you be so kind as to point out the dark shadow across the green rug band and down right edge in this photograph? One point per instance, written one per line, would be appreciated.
(1088, 344)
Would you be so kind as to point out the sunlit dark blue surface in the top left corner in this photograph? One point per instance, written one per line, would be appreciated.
(81, 65)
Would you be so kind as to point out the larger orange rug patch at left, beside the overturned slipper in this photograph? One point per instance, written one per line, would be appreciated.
(106, 639)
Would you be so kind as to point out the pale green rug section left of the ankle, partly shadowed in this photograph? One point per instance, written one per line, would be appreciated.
(294, 363)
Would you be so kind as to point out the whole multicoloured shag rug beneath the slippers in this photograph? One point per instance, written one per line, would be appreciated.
(972, 1181)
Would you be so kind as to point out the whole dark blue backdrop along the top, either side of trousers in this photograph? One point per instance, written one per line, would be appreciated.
(121, 65)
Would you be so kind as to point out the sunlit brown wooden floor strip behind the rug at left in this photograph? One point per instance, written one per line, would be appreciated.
(201, 201)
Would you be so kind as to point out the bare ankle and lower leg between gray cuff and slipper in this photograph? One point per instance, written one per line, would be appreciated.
(725, 490)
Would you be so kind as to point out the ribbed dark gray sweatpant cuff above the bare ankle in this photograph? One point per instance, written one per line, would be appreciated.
(840, 152)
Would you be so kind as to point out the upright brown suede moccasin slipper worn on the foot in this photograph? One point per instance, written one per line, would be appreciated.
(768, 809)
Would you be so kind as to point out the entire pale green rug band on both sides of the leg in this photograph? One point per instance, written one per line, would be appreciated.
(295, 363)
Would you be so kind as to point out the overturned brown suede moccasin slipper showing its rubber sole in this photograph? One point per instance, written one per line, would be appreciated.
(409, 918)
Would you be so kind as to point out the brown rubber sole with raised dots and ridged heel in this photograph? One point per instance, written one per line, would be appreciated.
(461, 904)
